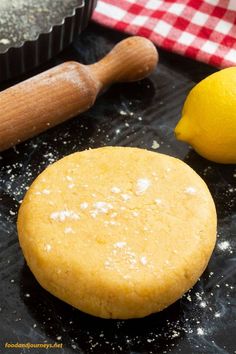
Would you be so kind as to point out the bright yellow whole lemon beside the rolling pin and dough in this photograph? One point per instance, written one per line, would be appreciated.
(208, 121)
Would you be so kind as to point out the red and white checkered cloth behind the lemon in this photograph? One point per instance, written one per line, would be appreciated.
(203, 30)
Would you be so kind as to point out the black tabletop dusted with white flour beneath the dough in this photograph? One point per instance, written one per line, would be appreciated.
(130, 115)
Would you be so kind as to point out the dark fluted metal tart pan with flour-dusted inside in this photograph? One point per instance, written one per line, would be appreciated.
(32, 32)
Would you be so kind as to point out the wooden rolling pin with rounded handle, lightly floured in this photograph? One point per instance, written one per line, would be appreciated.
(64, 91)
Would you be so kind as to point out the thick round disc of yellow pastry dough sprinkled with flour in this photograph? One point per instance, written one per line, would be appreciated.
(117, 232)
